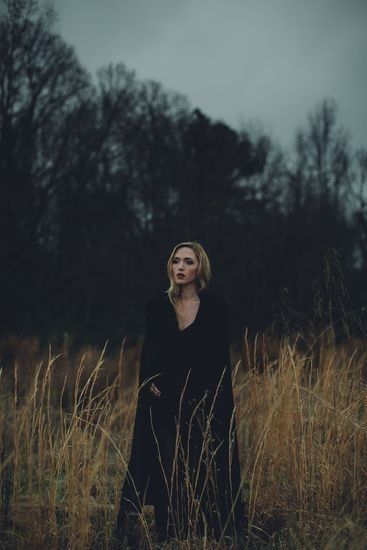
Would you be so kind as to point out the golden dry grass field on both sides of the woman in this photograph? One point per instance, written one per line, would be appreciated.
(65, 432)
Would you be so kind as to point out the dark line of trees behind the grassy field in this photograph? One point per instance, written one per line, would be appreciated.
(101, 175)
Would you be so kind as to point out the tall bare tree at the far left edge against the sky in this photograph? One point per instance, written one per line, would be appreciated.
(41, 86)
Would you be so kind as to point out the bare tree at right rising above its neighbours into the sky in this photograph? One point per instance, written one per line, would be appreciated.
(317, 198)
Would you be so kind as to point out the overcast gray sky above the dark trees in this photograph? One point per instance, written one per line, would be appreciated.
(258, 61)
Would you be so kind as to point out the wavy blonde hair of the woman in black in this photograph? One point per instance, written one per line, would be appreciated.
(203, 274)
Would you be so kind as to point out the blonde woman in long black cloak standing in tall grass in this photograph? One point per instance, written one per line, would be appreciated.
(184, 456)
